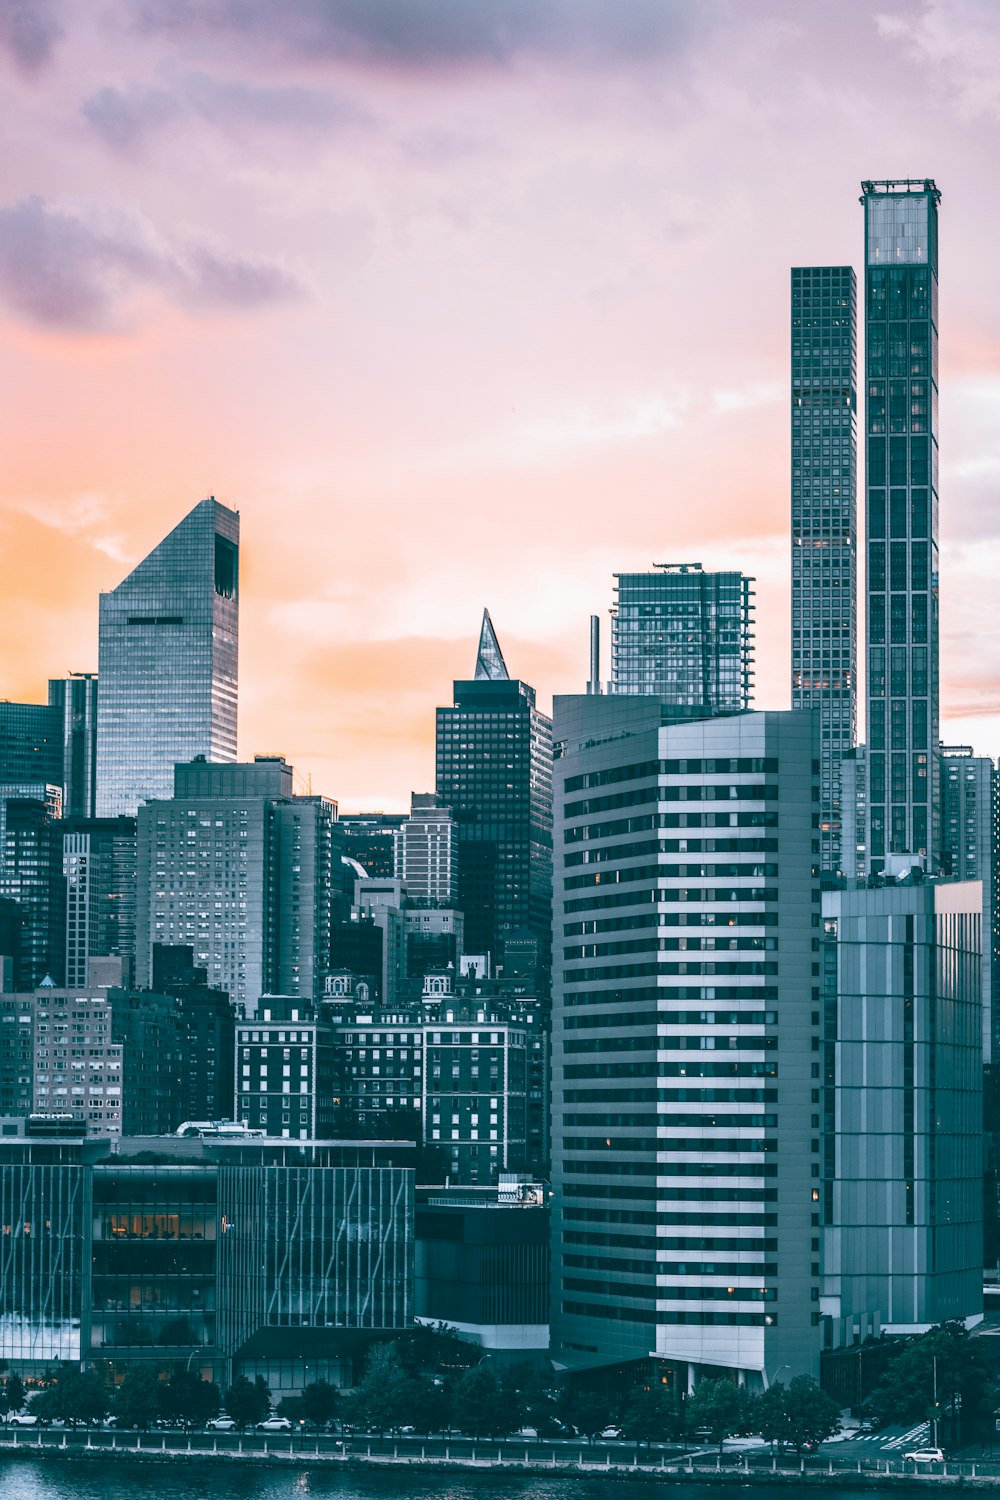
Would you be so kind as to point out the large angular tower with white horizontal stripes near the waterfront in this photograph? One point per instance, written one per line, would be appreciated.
(684, 1042)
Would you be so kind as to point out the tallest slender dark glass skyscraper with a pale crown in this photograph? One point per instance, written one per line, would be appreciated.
(902, 515)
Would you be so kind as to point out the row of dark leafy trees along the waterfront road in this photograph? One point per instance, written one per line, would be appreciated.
(427, 1382)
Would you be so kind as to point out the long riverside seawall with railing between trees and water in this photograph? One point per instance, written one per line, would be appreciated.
(666, 1474)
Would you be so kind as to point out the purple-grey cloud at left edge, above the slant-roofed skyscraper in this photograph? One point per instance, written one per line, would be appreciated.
(77, 265)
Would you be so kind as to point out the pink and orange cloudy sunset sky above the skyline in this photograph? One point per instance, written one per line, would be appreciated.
(461, 304)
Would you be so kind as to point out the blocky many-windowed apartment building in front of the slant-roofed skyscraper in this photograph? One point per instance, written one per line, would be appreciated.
(239, 869)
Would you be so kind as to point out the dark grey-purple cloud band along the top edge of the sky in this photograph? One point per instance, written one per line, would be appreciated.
(430, 34)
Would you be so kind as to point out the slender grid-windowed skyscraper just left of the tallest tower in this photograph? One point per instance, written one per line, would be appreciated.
(825, 526)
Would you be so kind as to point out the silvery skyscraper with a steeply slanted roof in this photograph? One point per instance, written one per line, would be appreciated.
(169, 662)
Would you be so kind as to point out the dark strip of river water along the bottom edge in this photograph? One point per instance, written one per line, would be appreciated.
(124, 1480)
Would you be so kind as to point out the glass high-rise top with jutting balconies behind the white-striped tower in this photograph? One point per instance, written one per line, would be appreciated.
(684, 637)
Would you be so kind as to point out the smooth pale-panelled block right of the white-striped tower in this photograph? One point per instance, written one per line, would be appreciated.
(902, 1108)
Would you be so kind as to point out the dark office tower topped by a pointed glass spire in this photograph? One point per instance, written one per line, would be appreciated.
(496, 775)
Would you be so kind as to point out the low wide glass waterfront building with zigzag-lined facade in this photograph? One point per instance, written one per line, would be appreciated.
(250, 1256)
